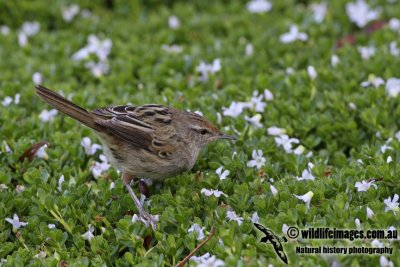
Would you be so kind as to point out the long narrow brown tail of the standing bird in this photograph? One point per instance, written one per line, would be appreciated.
(67, 107)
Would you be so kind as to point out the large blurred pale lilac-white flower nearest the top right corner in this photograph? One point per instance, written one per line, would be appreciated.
(360, 13)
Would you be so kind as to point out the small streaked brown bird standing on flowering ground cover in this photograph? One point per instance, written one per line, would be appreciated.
(149, 141)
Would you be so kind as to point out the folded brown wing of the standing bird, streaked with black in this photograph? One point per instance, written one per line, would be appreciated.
(147, 127)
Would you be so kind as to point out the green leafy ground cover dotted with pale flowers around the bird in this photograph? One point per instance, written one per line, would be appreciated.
(315, 111)
